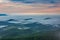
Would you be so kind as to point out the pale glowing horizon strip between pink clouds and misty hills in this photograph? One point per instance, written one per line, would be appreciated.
(31, 13)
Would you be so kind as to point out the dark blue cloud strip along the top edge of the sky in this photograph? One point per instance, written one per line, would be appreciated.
(37, 1)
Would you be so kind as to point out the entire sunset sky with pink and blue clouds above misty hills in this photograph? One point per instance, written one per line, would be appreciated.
(30, 7)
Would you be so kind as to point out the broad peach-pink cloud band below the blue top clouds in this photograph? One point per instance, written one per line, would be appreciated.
(32, 8)
